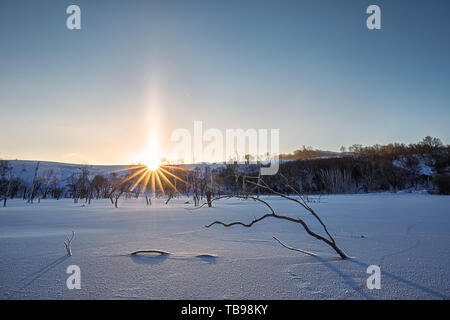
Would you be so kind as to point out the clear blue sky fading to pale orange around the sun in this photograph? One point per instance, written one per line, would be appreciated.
(141, 69)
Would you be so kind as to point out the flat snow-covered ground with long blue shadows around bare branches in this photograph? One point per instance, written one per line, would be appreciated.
(408, 236)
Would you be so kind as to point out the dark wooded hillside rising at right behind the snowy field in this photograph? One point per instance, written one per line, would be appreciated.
(392, 167)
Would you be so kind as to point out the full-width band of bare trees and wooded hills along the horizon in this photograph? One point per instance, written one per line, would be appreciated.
(361, 169)
